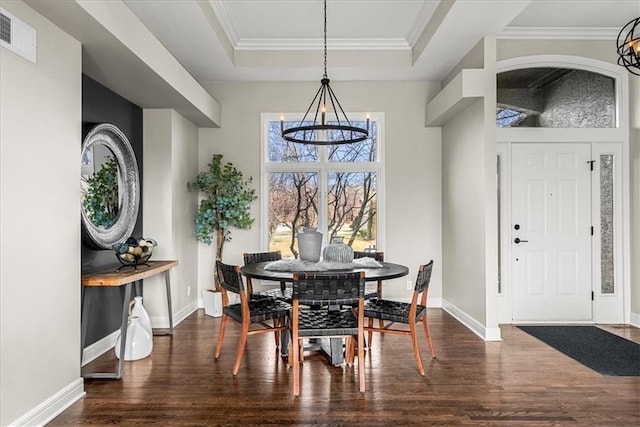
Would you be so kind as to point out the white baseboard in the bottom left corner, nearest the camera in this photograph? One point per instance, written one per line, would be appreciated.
(53, 406)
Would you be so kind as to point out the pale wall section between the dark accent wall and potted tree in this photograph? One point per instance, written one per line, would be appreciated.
(170, 158)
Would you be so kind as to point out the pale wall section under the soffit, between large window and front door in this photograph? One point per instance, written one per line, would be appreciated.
(463, 201)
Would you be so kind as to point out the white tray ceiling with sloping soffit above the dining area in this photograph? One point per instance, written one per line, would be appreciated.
(281, 40)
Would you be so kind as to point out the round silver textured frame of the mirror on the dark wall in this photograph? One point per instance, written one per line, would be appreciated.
(116, 141)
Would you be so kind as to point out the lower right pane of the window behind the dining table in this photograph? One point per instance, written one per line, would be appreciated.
(352, 208)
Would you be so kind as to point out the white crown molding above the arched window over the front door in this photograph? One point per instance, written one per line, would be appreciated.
(559, 33)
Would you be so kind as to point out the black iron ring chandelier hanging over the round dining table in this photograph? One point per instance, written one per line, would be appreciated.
(330, 113)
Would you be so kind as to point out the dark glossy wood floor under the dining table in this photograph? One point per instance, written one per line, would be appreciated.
(516, 382)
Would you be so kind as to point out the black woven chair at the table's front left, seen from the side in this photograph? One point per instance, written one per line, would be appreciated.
(248, 312)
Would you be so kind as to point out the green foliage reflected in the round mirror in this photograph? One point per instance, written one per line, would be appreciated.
(100, 199)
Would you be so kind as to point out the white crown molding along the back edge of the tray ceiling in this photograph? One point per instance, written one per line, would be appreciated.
(317, 44)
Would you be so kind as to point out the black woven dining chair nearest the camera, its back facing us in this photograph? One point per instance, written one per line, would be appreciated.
(322, 308)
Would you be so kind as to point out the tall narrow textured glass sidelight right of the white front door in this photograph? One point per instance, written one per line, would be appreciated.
(606, 223)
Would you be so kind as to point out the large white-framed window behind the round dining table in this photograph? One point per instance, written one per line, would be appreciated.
(334, 188)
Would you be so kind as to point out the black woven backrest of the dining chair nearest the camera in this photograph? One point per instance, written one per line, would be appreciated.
(320, 289)
